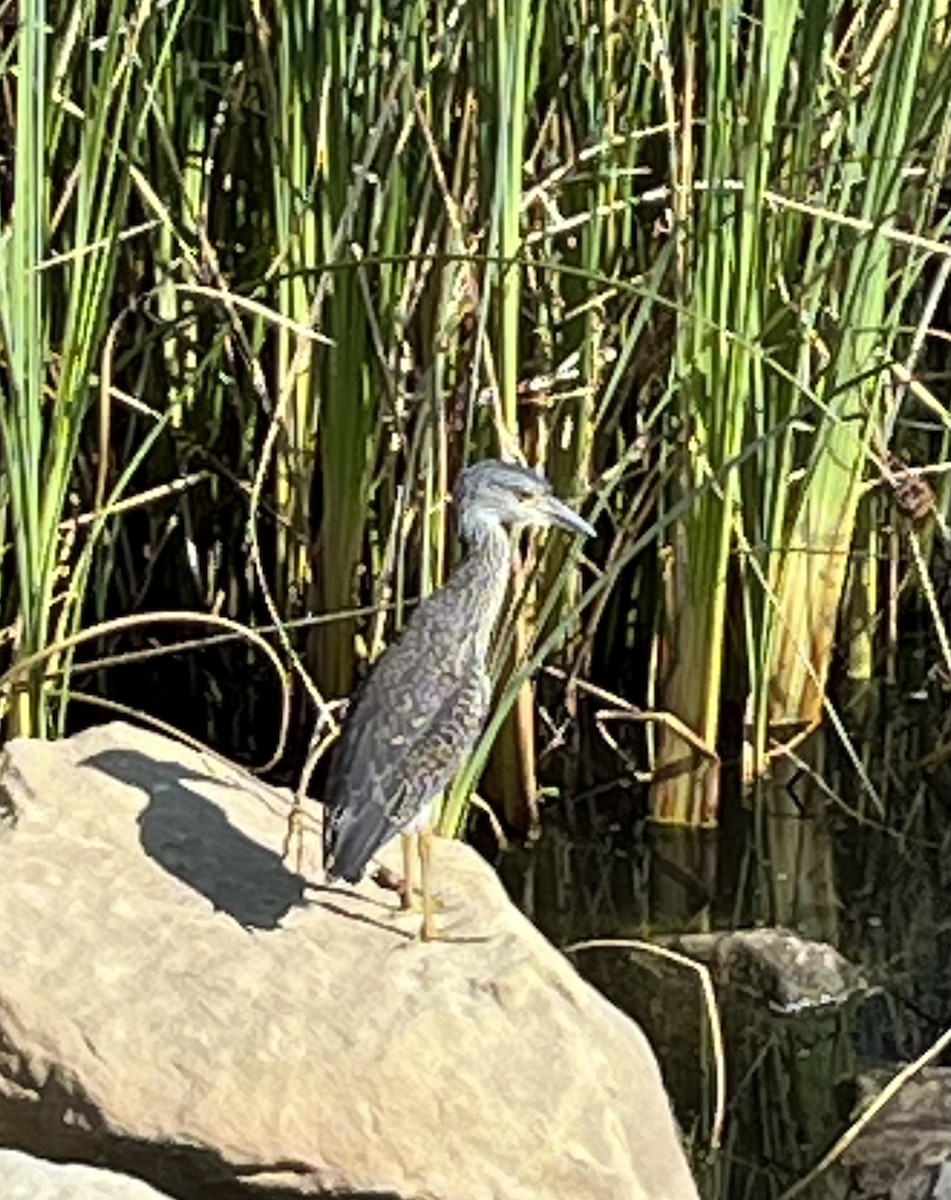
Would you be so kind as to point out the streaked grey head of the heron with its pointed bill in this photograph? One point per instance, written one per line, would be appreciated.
(501, 494)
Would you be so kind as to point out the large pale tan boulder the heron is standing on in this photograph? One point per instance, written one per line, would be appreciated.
(176, 1004)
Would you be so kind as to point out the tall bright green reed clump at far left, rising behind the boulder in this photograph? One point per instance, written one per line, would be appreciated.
(58, 255)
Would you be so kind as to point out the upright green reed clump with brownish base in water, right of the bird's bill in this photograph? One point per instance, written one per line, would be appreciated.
(721, 382)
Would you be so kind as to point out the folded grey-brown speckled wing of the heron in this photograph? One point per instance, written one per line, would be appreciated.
(400, 747)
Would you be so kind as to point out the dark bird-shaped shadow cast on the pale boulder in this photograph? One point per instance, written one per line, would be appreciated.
(192, 838)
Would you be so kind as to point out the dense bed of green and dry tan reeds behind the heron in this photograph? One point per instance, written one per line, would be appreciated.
(270, 275)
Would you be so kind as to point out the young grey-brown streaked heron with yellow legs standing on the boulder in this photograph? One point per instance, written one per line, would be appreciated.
(424, 704)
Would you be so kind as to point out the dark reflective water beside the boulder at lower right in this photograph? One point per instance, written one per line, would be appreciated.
(809, 851)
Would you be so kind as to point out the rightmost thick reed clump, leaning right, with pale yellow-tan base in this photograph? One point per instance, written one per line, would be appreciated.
(899, 113)
